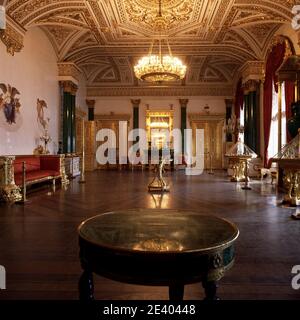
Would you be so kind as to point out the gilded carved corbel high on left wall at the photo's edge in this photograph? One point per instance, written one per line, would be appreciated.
(12, 36)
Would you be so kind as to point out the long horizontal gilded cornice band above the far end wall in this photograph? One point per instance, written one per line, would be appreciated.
(213, 90)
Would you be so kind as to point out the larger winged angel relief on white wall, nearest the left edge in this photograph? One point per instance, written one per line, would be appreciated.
(9, 103)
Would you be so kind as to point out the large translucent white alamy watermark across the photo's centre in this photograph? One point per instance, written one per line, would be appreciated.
(134, 146)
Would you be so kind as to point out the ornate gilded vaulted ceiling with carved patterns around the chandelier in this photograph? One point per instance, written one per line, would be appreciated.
(104, 38)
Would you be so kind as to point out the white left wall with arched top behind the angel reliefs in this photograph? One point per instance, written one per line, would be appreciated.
(34, 73)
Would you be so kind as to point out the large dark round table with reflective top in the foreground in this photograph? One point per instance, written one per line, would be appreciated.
(158, 248)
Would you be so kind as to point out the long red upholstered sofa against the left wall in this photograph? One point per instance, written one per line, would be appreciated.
(39, 168)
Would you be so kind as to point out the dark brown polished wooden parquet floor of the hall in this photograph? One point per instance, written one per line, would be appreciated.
(39, 244)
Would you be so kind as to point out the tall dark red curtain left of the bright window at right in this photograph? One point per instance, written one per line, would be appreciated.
(275, 59)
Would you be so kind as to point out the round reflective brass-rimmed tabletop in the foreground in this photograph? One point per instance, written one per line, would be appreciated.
(158, 231)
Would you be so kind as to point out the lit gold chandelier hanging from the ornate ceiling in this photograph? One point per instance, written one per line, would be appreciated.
(160, 68)
